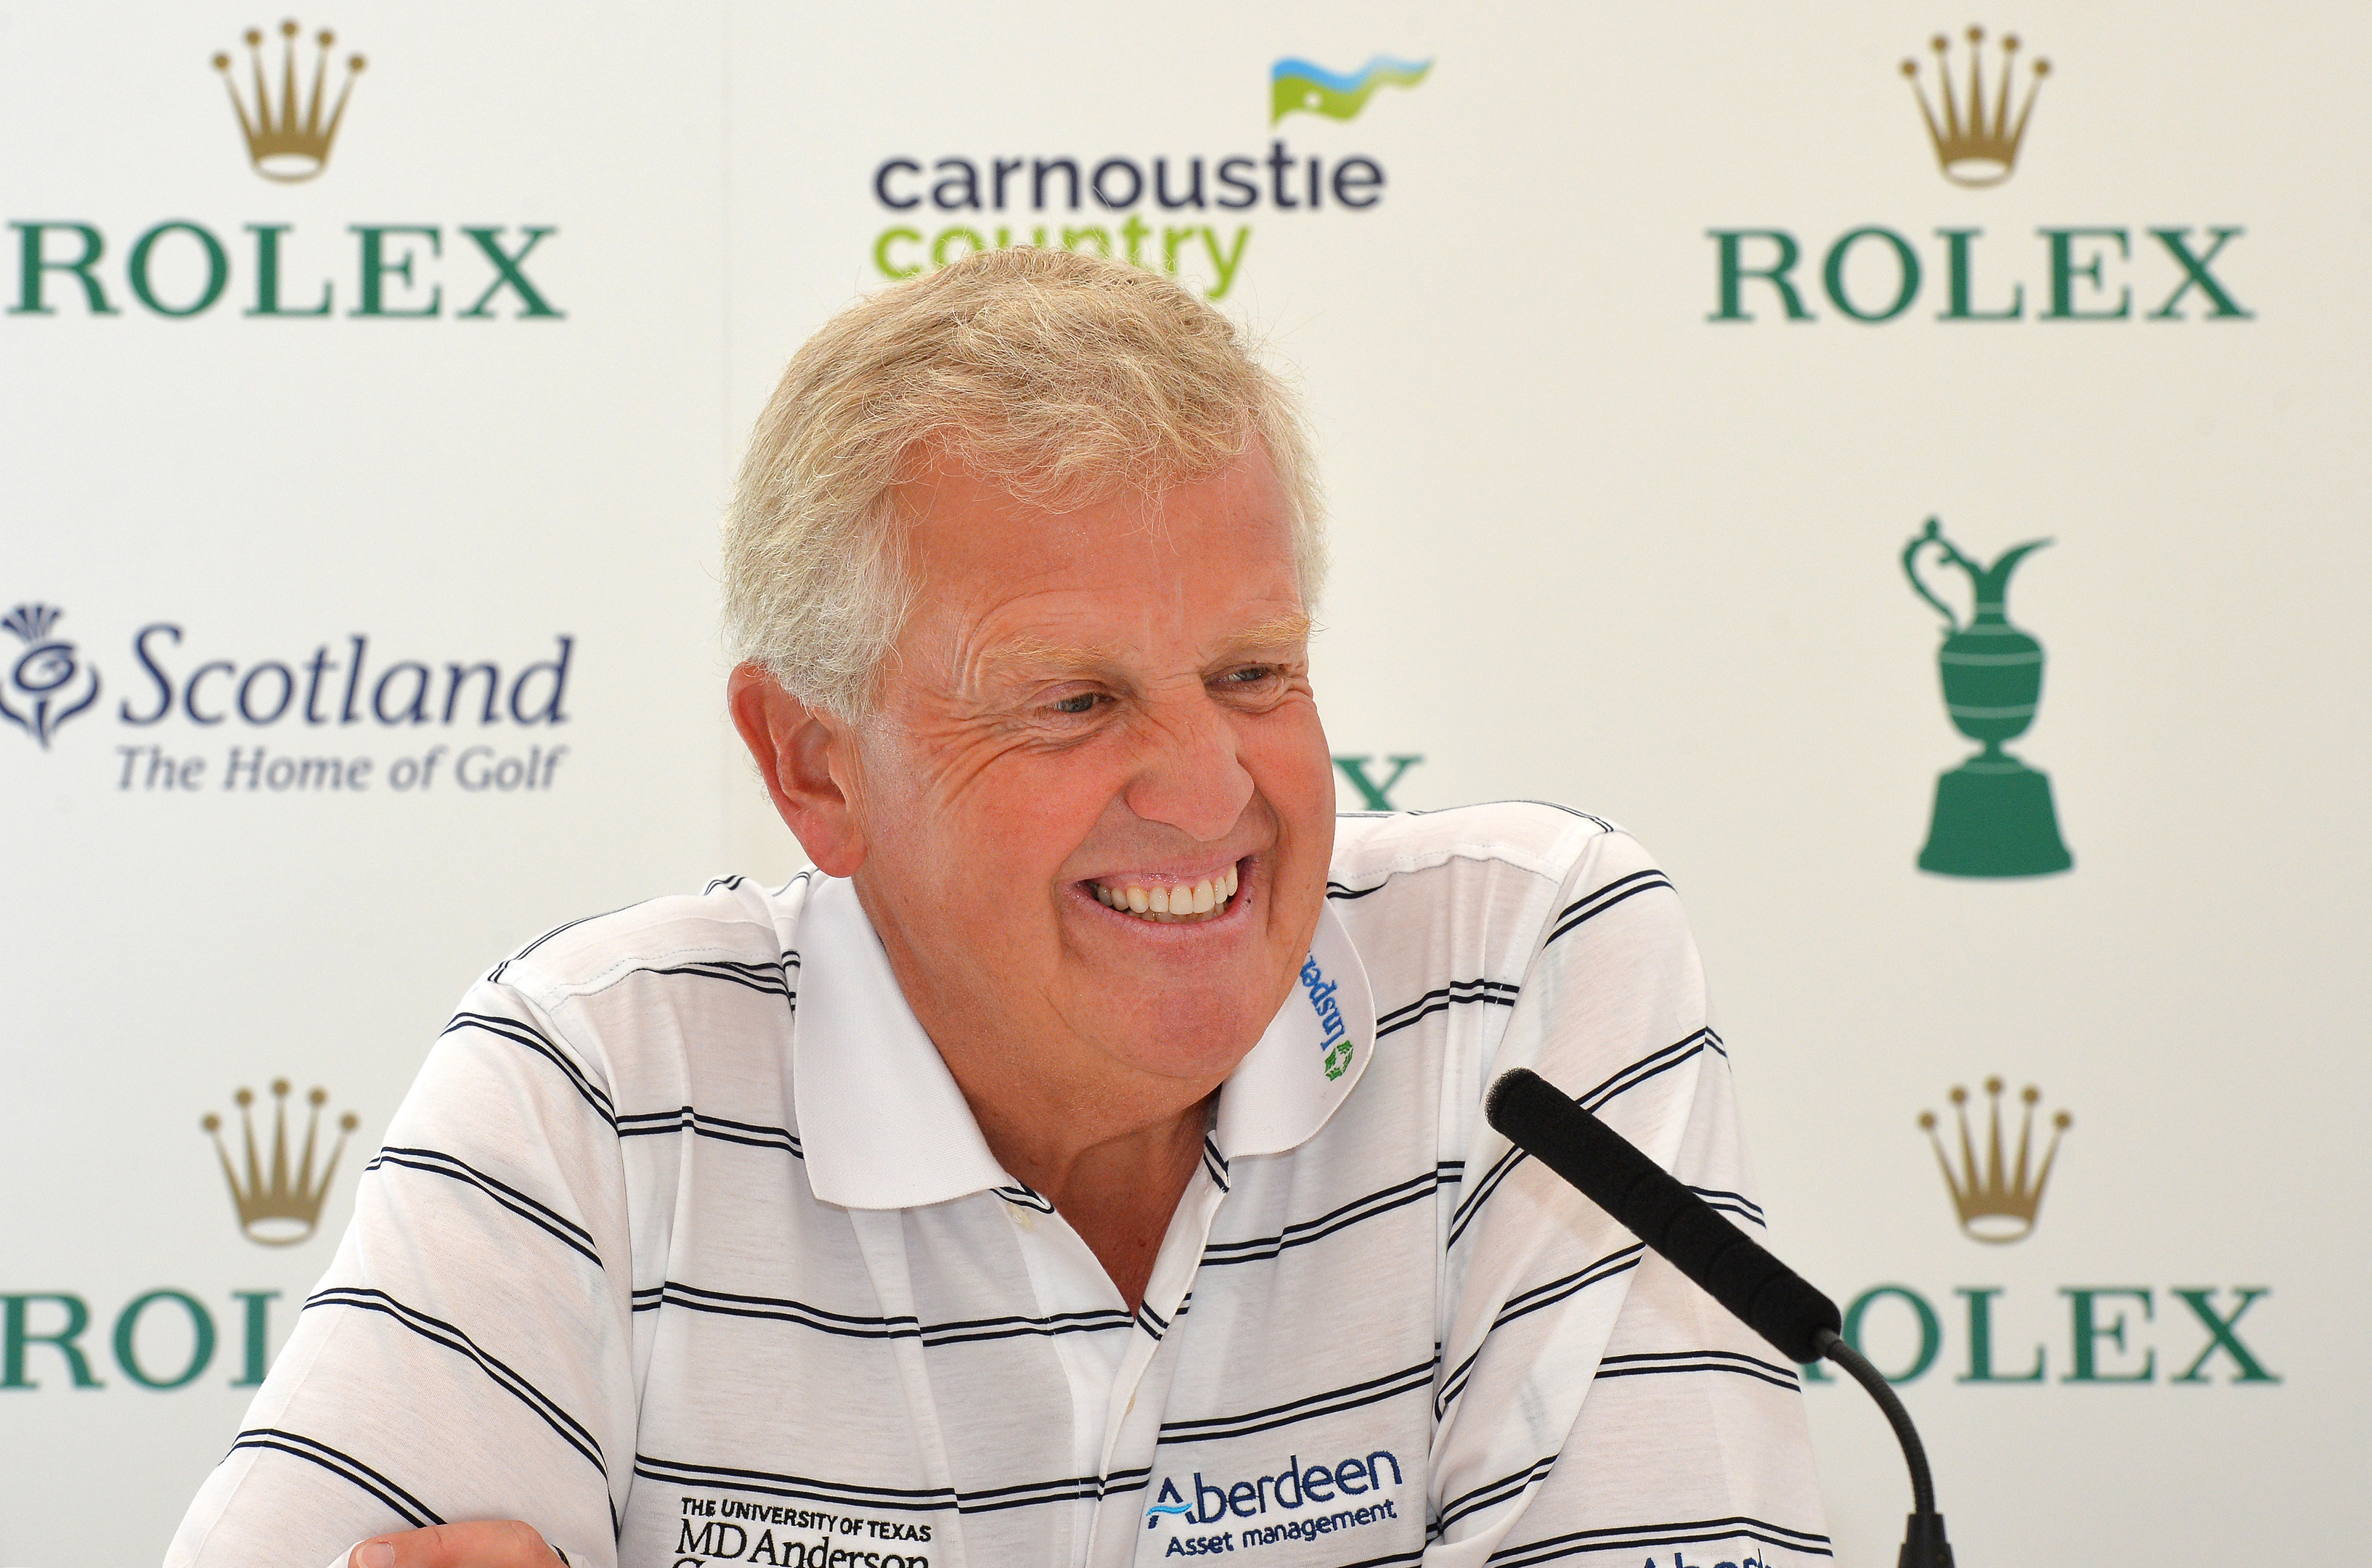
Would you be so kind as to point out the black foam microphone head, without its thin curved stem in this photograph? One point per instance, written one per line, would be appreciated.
(1659, 1211)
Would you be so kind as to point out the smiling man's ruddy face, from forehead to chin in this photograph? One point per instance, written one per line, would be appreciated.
(1088, 710)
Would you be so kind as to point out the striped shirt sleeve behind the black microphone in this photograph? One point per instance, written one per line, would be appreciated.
(1593, 1403)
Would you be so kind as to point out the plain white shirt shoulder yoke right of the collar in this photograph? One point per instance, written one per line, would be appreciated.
(1531, 839)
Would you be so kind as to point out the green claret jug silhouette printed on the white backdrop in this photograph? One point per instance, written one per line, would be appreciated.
(1994, 815)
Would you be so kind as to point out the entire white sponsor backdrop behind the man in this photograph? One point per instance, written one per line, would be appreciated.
(1640, 350)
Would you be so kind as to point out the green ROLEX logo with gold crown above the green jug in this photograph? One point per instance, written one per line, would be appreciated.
(1977, 113)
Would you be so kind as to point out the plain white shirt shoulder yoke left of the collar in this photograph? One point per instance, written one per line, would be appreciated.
(727, 931)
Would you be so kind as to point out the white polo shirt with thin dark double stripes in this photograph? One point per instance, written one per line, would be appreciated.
(687, 1251)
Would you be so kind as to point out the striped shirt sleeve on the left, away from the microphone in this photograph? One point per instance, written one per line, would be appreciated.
(471, 1351)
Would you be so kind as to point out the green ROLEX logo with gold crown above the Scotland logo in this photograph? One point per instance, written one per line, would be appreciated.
(288, 115)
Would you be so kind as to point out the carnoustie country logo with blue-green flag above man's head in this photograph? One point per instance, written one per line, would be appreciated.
(1201, 203)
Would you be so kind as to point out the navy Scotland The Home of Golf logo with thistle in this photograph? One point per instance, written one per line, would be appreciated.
(186, 718)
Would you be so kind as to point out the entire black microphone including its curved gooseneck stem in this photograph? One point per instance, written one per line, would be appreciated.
(1761, 1292)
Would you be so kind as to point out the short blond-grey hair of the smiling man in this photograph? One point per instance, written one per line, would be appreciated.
(1064, 378)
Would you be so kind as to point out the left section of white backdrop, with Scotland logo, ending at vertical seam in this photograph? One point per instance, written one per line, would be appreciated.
(227, 506)
